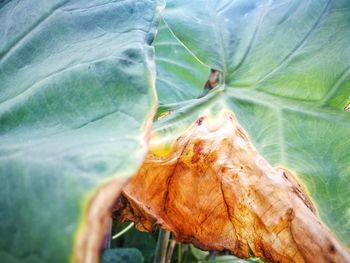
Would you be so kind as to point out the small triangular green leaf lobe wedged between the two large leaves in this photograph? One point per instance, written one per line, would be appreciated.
(179, 75)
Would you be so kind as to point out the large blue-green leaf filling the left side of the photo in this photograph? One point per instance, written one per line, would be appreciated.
(76, 97)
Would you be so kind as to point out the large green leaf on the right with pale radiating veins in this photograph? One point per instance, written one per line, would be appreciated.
(286, 77)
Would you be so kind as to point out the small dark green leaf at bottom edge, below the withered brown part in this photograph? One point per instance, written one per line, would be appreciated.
(122, 255)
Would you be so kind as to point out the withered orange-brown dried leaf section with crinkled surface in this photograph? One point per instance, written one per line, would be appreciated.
(216, 191)
